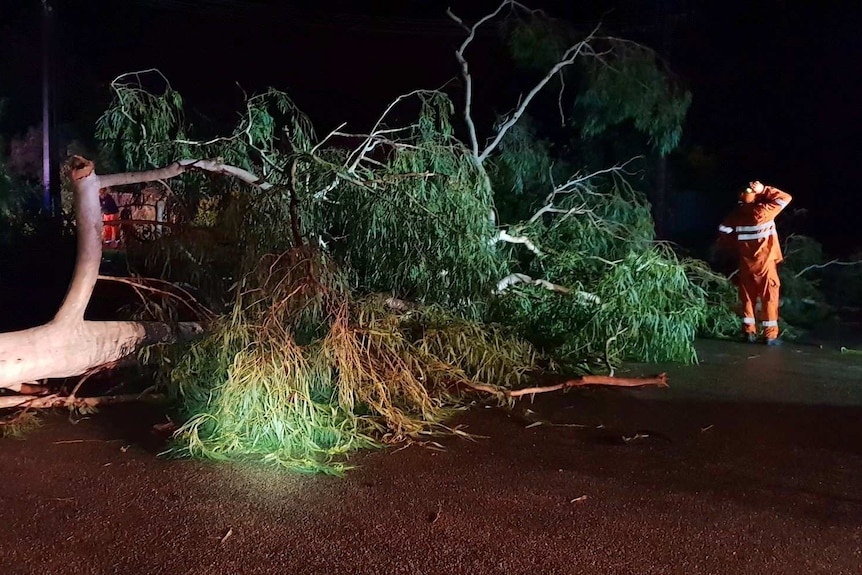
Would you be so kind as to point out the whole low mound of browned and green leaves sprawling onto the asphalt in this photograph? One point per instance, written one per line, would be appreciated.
(301, 381)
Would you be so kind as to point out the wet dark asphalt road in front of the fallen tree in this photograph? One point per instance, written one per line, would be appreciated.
(751, 462)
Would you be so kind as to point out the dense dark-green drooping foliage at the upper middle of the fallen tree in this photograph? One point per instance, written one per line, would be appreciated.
(419, 226)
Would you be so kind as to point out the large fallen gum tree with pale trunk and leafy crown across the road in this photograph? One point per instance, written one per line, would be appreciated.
(301, 366)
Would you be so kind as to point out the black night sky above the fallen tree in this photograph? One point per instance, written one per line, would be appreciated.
(776, 85)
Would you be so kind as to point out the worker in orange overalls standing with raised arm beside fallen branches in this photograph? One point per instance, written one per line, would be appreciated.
(750, 229)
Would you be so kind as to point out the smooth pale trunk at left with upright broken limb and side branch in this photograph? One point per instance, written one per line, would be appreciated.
(68, 345)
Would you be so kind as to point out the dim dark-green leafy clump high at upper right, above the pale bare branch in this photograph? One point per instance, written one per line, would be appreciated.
(634, 88)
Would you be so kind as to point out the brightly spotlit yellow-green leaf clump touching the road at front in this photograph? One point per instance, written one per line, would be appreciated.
(265, 403)
